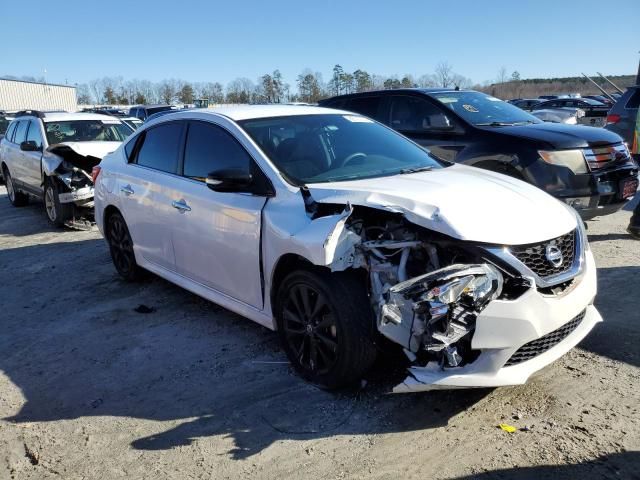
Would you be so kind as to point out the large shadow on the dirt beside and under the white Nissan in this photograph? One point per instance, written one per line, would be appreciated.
(76, 344)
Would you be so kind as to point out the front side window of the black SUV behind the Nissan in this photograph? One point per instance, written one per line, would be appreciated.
(415, 114)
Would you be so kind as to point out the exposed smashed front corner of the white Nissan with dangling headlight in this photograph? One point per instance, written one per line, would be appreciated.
(426, 289)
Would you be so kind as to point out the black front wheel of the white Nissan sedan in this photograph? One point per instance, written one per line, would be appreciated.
(326, 326)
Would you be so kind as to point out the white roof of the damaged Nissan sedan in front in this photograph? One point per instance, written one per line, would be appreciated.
(246, 112)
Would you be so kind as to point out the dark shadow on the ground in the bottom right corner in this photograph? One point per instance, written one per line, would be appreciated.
(615, 465)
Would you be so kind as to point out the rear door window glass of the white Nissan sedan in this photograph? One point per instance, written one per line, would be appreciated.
(161, 146)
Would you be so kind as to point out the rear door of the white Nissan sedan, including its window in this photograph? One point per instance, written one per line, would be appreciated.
(144, 188)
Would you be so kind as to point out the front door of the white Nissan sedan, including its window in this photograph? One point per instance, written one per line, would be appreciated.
(216, 235)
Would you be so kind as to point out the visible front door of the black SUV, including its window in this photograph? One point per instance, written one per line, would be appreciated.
(426, 124)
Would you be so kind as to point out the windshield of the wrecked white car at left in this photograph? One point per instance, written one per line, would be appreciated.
(86, 131)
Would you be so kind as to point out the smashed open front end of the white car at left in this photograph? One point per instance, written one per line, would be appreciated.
(72, 173)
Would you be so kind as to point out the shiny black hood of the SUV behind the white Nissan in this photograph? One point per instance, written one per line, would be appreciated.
(560, 136)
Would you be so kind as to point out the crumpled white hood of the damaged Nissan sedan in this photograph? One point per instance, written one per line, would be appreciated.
(463, 202)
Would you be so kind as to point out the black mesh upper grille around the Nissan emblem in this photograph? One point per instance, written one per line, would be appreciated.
(534, 255)
